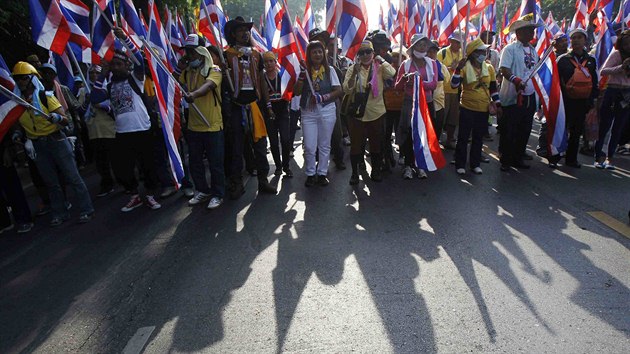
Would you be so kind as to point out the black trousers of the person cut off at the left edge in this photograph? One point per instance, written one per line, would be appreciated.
(13, 196)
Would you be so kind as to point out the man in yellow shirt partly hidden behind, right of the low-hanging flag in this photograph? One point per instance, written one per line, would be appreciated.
(450, 57)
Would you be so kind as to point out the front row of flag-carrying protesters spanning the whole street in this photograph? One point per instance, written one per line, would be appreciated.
(234, 106)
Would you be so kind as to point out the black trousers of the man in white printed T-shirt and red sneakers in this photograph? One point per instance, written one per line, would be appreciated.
(133, 149)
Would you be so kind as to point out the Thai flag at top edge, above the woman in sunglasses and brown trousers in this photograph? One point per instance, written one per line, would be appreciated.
(353, 25)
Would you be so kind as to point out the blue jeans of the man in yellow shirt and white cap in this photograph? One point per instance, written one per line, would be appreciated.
(212, 144)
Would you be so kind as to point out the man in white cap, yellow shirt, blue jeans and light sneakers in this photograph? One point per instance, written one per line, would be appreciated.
(205, 133)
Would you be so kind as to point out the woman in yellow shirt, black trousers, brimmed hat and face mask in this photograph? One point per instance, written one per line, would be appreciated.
(478, 81)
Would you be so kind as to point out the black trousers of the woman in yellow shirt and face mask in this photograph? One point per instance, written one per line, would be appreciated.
(470, 122)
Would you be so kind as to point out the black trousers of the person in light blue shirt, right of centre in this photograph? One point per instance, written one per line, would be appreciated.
(516, 126)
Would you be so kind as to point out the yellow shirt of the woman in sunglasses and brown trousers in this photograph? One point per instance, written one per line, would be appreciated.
(375, 107)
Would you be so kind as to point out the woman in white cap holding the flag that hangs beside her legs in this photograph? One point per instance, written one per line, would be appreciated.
(417, 64)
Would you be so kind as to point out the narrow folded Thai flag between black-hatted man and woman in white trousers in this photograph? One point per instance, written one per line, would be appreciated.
(287, 51)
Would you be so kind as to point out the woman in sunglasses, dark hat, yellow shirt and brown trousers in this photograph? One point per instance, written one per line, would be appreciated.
(367, 76)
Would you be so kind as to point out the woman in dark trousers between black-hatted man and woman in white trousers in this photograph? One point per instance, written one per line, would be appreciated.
(277, 109)
